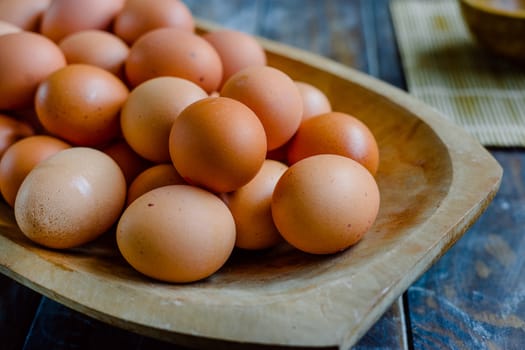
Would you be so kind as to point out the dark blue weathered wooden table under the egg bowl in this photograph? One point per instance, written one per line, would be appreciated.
(472, 298)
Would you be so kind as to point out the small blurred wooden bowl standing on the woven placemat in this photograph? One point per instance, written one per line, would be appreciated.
(498, 25)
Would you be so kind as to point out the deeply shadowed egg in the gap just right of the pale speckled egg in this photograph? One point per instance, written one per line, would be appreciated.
(129, 161)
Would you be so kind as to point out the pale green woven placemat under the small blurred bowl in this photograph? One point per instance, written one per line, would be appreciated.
(446, 69)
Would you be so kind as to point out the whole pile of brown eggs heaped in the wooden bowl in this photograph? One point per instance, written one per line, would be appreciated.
(119, 114)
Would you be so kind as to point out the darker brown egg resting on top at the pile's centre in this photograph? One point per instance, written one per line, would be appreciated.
(217, 143)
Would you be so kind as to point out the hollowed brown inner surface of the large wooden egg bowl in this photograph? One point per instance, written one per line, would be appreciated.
(414, 175)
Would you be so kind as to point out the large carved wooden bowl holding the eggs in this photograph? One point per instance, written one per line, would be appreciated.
(434, 182)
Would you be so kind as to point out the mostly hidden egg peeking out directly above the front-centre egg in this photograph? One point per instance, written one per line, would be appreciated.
(157, 176)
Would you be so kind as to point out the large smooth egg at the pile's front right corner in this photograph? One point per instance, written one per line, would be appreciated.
(324, 204)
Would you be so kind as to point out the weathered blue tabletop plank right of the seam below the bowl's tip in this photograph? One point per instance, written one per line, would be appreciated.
(474, 296)
